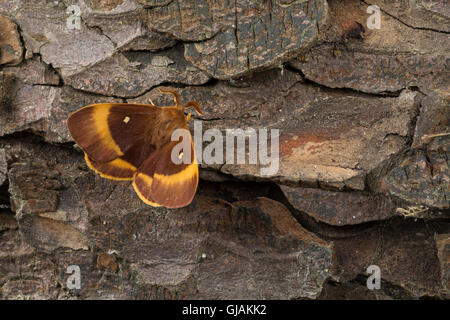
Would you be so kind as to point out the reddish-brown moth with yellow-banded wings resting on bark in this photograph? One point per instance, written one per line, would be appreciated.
(124, 141)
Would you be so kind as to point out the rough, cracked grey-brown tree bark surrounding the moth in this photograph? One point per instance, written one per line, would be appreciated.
(363, 175)
